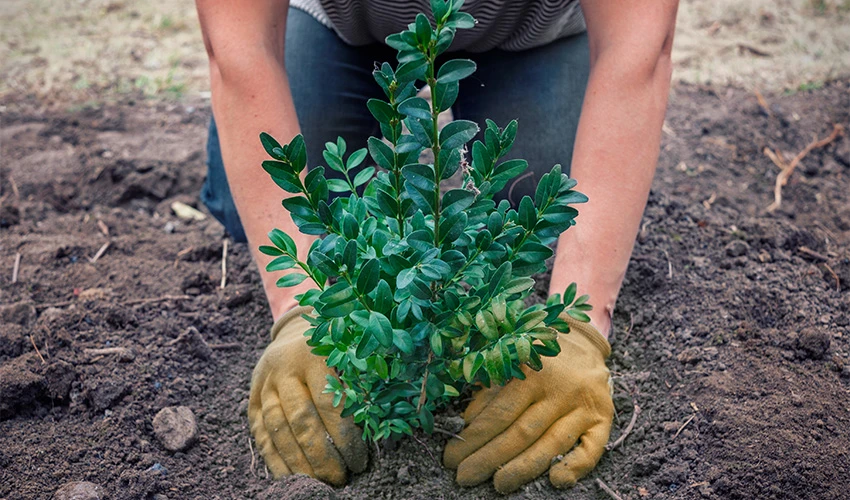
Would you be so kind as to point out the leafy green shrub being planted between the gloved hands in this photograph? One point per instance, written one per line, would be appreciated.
(421, 290)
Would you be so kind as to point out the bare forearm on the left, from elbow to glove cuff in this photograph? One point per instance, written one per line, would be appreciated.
(244, 107)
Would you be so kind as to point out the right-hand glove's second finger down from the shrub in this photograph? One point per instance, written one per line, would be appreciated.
(521, 434)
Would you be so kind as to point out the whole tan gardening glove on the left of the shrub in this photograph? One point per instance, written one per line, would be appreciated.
(296, 426)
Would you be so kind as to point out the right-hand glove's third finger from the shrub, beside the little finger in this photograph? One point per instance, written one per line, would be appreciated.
(535, 460)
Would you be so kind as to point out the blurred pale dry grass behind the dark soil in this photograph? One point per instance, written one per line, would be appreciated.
(76, 51)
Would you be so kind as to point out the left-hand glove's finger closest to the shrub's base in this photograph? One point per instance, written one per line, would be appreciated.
(346, 436)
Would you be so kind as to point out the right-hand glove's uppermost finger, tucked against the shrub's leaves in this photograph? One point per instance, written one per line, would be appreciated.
(501, 410)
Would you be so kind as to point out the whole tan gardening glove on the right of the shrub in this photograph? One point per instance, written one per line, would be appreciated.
(516, 432)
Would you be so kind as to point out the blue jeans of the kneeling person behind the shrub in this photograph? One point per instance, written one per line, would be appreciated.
(331, 81)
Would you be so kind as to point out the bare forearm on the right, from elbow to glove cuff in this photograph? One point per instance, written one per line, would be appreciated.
(616, 150)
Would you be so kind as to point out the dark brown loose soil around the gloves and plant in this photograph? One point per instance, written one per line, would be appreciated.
(732, 332)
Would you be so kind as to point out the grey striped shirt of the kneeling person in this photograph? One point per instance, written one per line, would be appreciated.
(505, 24)
